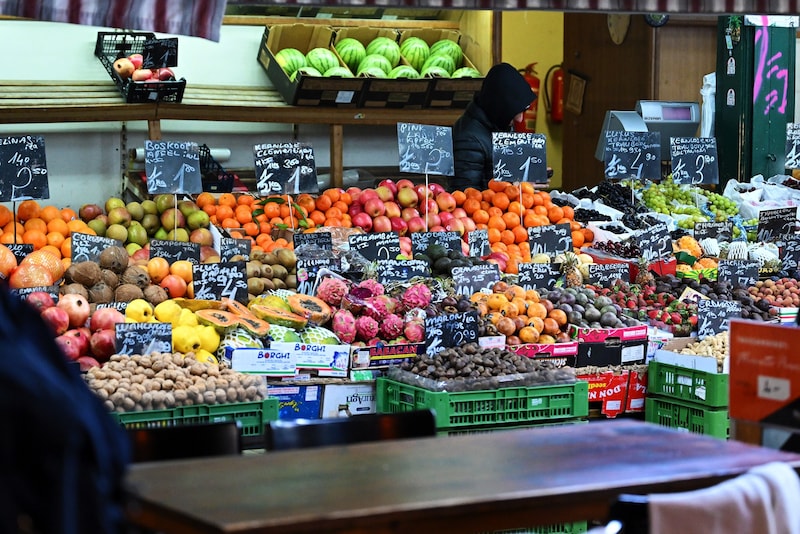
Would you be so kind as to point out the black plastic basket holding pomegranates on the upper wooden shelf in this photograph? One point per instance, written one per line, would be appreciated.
(111, 46)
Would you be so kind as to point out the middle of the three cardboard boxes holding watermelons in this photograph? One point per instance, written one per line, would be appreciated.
(383, 92)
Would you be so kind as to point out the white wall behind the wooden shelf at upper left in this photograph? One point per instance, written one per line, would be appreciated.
(86, 160)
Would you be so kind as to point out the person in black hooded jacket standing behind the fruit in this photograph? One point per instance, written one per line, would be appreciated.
(503, 97)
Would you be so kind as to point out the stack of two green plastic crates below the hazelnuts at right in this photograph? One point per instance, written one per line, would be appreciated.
(687, 399)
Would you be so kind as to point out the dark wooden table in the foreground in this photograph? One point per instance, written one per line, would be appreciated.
(466, 483)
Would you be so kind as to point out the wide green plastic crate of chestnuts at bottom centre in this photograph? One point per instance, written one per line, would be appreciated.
(503, 406)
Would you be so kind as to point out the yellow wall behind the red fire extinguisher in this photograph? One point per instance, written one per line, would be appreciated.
(537, 36)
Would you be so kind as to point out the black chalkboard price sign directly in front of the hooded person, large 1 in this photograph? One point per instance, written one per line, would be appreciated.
(519, 157)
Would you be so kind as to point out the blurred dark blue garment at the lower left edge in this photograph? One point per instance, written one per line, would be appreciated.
(62, 457)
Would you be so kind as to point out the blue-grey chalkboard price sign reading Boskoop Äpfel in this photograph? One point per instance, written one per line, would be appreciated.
(172, 167)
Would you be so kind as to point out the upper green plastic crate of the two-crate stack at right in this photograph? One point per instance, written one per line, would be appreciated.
(692, 385)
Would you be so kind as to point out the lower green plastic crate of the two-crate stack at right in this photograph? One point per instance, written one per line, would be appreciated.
(693, 418)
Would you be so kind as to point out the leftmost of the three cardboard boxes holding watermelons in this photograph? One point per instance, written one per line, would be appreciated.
(306, 90)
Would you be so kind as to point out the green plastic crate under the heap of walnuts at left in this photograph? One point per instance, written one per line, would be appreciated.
(251, 415)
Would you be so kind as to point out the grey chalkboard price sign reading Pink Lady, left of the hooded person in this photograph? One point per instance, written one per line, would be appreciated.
(425, 149)
